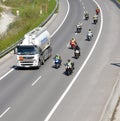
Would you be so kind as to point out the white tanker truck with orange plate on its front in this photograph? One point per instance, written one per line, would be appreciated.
(34, 49)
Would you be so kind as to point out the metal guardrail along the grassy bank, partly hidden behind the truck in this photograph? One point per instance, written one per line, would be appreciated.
(12, 47)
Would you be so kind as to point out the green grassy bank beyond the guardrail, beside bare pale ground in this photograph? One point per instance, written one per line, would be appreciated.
(31, 14)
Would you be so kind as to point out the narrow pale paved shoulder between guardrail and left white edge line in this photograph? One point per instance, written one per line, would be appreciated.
(8, 62)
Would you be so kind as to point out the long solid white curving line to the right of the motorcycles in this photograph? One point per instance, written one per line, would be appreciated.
(81, 68)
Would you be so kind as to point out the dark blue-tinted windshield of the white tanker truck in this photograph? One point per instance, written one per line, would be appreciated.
(27, 50)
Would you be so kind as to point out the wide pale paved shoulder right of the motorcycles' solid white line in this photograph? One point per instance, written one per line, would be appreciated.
(88, 96)
